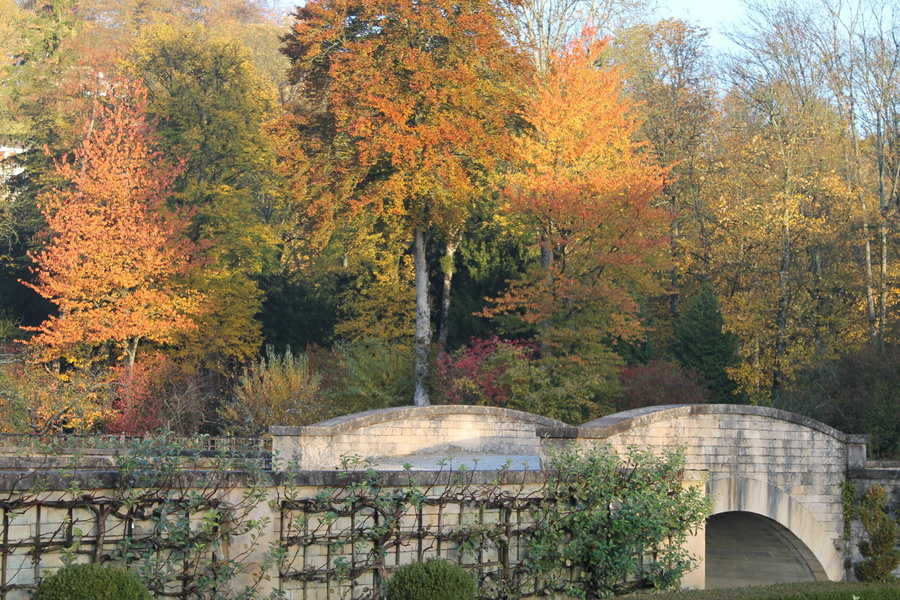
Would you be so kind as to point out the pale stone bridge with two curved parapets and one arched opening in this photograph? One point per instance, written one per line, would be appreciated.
(775, 477)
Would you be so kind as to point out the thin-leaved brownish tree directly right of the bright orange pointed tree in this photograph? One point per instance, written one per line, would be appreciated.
(668, 73)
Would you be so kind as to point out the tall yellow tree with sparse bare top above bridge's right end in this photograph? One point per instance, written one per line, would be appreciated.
(785, 218)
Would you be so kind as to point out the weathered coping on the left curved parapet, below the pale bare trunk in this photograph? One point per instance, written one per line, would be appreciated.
(347, 423)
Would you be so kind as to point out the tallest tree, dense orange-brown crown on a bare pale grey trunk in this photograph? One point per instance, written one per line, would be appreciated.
(406, 106)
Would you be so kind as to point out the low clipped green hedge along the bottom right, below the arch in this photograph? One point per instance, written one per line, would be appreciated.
(795, 591)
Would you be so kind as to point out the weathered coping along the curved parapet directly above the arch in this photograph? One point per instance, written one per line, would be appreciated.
(610, 425)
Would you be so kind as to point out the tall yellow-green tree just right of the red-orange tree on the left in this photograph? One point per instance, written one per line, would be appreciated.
(212, 104)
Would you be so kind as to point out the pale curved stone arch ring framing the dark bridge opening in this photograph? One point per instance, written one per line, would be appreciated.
(737, 494)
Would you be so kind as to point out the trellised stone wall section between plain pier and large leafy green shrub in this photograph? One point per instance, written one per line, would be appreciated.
(481, 522)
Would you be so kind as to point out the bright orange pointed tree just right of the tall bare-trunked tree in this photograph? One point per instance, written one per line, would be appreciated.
(586, 189)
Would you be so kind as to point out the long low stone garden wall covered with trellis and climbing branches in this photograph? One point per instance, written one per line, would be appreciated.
(309, 535)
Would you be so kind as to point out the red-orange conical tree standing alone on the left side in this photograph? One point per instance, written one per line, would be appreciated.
(115, 251)
